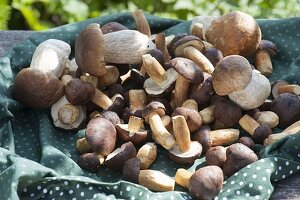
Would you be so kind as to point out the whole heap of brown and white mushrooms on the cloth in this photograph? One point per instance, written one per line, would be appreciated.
(189, 94)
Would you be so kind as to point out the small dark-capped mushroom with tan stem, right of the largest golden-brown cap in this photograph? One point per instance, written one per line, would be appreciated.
(265, 51)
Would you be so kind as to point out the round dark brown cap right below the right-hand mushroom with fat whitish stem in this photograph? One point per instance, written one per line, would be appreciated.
(227, 113)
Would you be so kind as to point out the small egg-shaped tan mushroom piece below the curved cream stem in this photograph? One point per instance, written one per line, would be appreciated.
(147, 155)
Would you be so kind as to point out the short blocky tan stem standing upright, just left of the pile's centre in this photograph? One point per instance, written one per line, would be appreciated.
(137, 99)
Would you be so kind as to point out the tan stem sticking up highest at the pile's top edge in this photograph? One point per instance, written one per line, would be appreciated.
(141, 22)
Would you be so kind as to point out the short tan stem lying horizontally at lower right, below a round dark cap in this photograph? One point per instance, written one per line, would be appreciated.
(224, 137)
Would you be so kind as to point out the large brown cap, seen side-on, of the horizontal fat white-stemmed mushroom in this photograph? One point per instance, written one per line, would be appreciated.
(89, 50)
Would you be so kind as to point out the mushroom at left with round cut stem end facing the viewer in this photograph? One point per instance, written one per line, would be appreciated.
(67, 116)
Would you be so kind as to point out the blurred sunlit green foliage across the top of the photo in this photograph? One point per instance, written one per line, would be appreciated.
(44, 14)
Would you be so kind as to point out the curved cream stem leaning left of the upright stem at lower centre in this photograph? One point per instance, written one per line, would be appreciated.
(159, 132)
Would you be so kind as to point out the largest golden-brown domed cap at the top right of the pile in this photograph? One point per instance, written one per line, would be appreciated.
(235, 33)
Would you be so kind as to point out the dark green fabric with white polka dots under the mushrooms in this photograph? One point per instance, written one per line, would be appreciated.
(38, 161)
